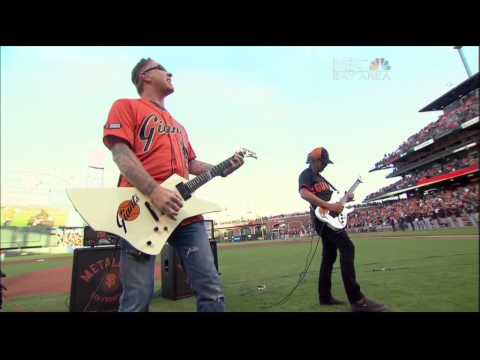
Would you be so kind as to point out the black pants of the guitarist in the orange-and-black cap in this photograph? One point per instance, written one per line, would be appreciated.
(333, 240)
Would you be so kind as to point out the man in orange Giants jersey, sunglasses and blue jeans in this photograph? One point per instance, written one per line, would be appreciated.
(148, 146)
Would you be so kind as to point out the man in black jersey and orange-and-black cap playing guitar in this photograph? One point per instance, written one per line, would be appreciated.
(317, 191)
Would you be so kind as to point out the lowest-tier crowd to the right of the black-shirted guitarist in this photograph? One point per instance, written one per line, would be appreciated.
(446, 208)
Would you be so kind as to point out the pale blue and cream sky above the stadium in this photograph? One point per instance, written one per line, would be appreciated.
(280, 102)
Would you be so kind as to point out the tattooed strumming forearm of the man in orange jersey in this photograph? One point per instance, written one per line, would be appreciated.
(132, 168)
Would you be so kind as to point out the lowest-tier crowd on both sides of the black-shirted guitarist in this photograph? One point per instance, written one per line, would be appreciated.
(448, 208)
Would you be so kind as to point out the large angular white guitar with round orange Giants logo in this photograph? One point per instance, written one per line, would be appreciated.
(129, 214)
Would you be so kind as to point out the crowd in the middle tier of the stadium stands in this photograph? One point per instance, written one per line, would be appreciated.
(450, 165)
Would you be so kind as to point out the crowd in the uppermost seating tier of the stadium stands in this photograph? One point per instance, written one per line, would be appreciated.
(450, 120)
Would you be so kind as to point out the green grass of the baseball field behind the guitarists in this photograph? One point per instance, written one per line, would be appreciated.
(422, 272)
